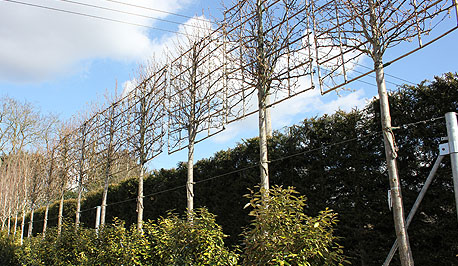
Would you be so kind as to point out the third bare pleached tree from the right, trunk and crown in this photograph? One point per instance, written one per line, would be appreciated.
(195, 98)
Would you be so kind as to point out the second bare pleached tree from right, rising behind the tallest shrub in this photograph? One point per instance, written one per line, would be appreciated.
(266, 40)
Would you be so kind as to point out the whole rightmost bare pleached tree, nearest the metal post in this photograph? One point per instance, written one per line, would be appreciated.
(354, 28)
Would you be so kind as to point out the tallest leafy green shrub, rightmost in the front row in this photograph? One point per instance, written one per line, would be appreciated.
(282, 234)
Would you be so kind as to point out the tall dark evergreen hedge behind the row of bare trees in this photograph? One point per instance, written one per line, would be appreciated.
(335, 160)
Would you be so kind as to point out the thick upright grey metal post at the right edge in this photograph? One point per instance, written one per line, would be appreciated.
(452, 132)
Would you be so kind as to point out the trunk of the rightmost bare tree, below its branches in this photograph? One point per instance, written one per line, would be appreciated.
(390, 153)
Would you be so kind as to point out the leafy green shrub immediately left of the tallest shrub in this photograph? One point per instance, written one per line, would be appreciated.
(177, 241)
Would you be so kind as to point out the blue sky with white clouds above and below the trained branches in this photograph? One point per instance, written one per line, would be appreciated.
(61, 62)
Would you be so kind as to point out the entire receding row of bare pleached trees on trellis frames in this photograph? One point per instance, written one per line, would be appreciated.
(275, 49)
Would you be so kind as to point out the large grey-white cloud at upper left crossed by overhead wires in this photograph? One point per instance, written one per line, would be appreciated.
(36, 44)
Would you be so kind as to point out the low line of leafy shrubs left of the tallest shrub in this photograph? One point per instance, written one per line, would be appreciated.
(172, 241)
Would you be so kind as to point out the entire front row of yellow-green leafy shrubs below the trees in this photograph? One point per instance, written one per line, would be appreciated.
(192, 240)
